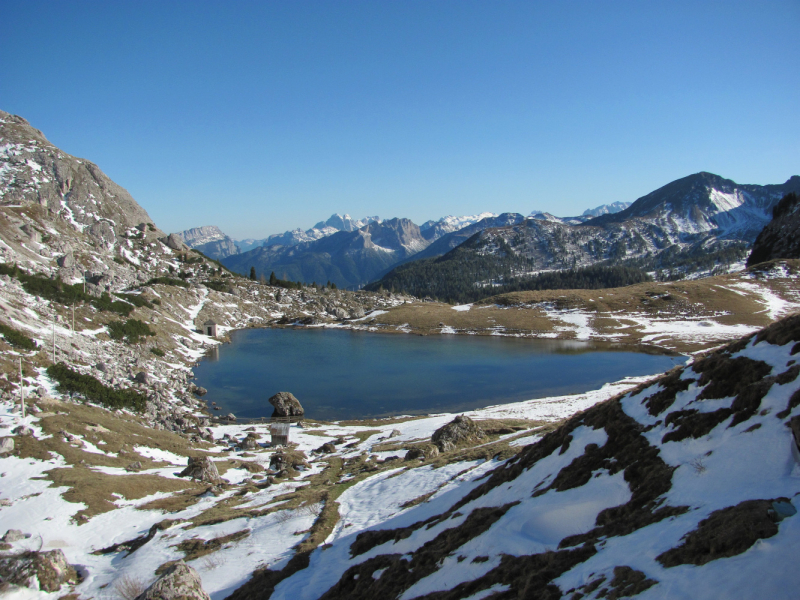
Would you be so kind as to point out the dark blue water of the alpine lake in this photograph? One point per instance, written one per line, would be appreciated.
(352, 375)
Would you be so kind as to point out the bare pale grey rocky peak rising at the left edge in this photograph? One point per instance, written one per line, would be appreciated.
(34, 171)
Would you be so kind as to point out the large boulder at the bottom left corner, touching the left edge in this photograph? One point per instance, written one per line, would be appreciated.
(45, 571)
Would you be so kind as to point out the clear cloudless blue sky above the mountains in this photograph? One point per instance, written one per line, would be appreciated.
(265, 116)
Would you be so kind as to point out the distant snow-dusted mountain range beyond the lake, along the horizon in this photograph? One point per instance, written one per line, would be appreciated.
(691, 225)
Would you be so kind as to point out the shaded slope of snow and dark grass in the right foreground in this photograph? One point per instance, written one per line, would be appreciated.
(683, 488)
